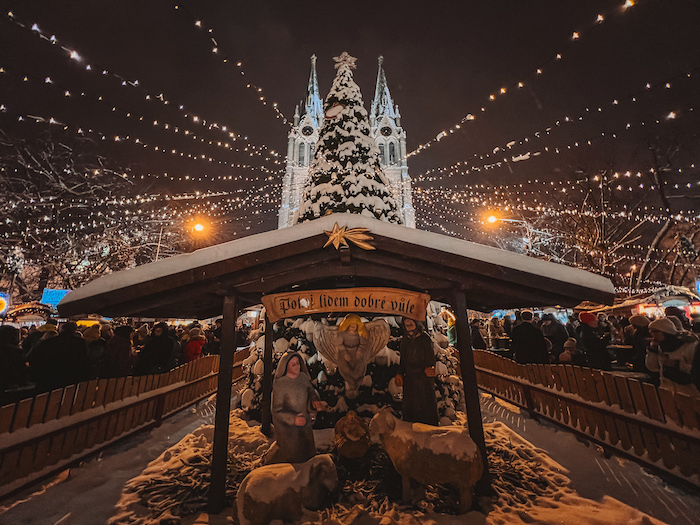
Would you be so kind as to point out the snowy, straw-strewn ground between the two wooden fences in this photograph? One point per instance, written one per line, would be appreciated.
(540, 475)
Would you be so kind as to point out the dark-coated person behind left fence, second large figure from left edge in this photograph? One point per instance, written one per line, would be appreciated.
(61, 360)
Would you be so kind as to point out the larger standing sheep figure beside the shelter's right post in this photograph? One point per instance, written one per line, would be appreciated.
(429, 454)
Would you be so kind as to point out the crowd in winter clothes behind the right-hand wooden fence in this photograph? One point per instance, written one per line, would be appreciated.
(665, 349)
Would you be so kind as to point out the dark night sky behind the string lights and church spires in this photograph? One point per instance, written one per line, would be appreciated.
(442, 61)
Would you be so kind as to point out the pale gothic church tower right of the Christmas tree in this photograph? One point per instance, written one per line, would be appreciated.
(385, 123)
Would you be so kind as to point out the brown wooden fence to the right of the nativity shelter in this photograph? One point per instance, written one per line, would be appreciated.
(653, 426)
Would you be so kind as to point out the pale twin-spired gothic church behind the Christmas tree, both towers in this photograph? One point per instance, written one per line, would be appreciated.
(385, 128)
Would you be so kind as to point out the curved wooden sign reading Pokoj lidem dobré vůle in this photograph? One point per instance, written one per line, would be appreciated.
(387, 301)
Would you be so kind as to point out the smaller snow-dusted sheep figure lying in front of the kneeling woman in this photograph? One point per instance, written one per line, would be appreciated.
(279, 491)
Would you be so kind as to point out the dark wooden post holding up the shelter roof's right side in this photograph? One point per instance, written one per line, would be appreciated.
(471, 390)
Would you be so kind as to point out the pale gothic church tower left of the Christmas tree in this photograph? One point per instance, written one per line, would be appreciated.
(300, 148)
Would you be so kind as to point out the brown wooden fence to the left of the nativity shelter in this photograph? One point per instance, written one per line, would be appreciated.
(41, 435)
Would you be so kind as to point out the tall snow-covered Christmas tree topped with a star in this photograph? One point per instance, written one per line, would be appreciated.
(345, 175)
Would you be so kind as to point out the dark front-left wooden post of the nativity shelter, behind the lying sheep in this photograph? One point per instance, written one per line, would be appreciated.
(219, 460)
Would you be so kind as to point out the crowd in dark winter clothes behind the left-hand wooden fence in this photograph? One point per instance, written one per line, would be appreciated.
(41, 358)
